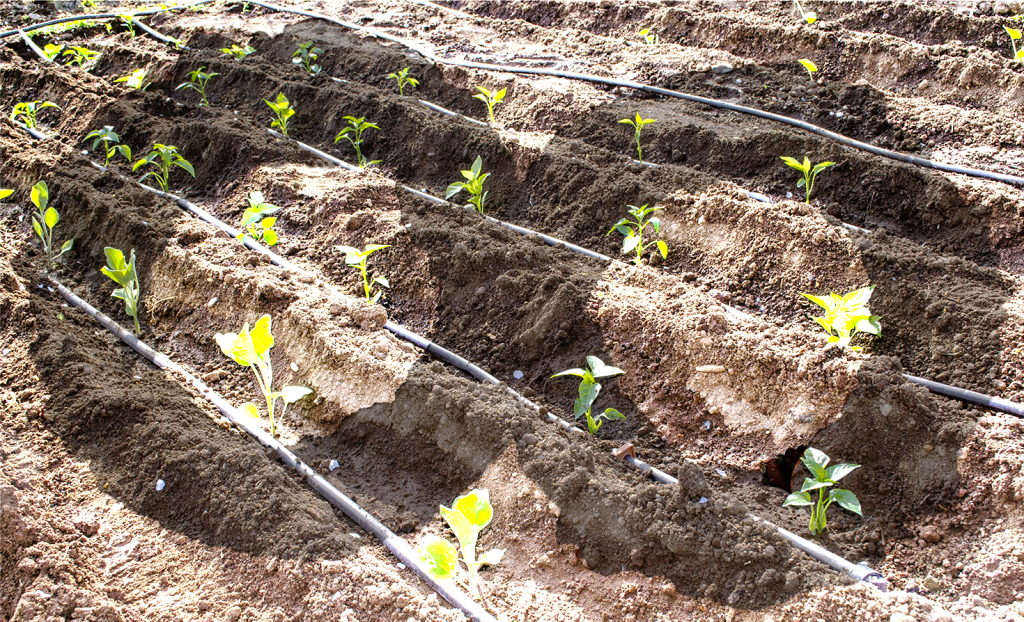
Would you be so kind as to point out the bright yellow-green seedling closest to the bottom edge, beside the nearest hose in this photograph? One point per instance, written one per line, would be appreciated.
(467, 518)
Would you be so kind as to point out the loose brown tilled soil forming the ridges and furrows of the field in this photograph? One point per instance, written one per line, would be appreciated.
(710, 395)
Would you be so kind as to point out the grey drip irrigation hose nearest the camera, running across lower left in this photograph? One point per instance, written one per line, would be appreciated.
(399, 548)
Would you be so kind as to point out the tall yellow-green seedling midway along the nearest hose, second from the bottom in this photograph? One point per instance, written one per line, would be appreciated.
(252, 350)
